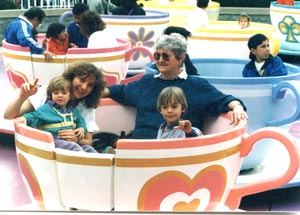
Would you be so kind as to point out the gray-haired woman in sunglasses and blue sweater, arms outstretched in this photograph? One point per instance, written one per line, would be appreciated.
(203, 98)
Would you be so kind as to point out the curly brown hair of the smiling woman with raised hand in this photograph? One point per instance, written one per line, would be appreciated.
(84, 69)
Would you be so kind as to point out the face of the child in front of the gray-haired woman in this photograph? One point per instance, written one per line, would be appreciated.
(171, 112)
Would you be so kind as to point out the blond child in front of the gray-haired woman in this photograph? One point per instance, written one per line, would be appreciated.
(172, 104)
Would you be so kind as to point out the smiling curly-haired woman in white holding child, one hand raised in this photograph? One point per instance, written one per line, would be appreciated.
(87, 87)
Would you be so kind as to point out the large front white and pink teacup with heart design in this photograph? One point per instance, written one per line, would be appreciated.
(147, 175)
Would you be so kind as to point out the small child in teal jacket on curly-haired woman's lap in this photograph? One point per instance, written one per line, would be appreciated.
(56, 114)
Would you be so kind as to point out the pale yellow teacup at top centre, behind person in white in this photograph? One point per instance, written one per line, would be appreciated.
(179, 9)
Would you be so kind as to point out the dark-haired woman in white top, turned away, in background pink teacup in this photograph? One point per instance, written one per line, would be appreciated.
(94, 28)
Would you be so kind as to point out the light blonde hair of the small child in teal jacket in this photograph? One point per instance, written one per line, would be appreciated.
(58, 83)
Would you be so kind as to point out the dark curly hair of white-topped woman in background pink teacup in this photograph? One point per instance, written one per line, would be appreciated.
(91, 22)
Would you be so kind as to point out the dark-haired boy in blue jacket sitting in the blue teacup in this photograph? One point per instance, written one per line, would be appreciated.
(262, 63)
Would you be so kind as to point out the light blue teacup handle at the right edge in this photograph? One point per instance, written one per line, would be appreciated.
(278, 92)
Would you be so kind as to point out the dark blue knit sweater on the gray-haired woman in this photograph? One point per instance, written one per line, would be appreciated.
(203, 100)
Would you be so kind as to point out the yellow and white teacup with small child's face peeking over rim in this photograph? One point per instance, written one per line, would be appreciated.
(225, 39)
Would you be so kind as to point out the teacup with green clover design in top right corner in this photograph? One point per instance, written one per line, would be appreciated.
(286, 19)
